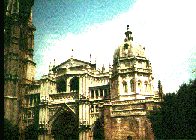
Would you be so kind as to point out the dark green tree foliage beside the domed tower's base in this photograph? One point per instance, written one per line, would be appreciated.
(176, 118)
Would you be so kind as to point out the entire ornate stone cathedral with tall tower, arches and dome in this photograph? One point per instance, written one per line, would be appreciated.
(75, 96)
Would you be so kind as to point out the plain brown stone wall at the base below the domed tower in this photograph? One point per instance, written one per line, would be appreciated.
(126, 127)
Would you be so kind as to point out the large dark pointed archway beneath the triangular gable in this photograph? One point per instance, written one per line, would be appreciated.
(65, 126)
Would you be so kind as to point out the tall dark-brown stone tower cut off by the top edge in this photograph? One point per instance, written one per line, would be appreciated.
(18, 56)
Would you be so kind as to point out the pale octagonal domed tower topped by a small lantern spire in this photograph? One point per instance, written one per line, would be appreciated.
(132, 71)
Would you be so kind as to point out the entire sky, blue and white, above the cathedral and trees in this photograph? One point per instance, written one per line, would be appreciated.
(165, 27)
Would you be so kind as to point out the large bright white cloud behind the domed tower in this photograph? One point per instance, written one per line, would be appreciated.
(166, 28)
